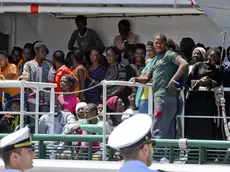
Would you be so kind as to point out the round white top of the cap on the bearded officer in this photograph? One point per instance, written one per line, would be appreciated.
(130, 132)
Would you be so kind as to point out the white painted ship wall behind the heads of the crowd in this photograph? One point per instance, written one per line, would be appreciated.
(56, 32)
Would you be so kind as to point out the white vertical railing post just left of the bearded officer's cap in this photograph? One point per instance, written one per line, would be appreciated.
(104, 120)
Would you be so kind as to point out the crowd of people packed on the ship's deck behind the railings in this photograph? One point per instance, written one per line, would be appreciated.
(78, 103)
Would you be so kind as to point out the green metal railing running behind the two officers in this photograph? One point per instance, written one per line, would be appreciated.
(199, 151)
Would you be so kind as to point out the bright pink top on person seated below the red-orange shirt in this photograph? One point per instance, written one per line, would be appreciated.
(69, 102)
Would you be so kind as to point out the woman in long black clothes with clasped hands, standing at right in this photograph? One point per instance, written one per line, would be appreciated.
(202, 103)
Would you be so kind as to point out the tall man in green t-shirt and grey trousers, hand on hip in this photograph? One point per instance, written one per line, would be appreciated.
(165, 71)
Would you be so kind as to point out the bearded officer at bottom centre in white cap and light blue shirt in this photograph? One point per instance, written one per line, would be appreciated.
(135, 143)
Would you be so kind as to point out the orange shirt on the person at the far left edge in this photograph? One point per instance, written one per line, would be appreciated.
(11, 69)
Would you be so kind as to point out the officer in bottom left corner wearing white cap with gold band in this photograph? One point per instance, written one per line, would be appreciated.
(17, 151)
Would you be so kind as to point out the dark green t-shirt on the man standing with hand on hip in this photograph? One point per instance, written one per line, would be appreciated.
(163, 68)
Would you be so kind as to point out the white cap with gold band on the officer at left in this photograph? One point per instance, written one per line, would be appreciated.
(18, 139)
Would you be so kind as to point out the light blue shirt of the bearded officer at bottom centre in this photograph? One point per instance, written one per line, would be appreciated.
(136, 166)
